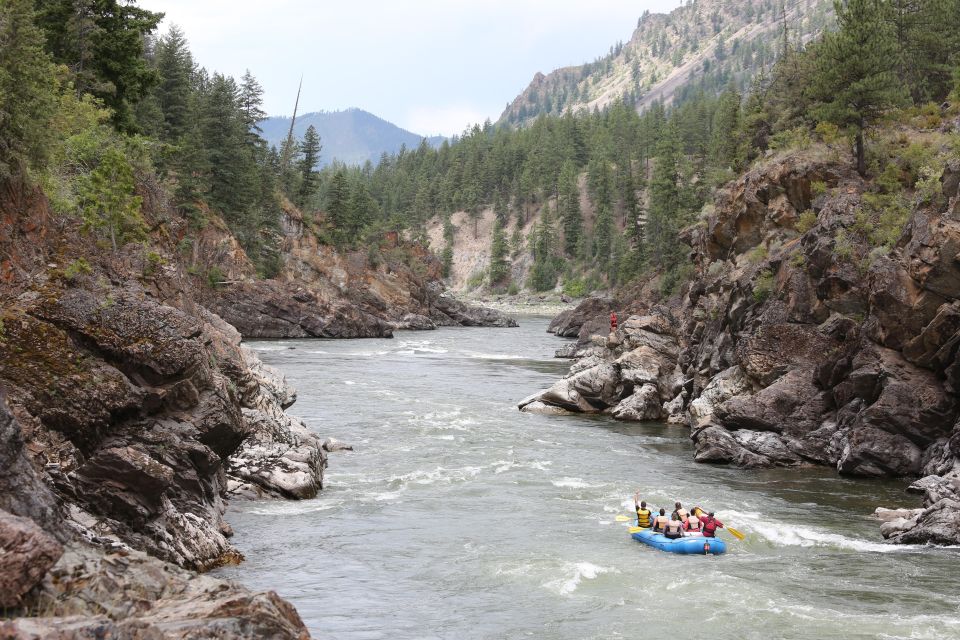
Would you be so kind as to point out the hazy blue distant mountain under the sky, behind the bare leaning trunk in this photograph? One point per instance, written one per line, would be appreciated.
(352, 136)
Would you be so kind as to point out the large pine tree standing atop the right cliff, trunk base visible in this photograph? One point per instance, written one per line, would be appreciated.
(856, 79)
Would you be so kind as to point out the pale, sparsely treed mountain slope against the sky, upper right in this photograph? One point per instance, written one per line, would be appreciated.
(705, 44)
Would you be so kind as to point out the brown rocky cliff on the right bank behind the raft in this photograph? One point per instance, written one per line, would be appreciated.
(820, 327)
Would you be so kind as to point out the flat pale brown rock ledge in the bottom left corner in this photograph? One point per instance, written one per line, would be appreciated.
(130, 595)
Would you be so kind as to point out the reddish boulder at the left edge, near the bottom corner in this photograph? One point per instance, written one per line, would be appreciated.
(26, 554)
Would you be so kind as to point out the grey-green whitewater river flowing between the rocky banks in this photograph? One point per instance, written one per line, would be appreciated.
(458, 517)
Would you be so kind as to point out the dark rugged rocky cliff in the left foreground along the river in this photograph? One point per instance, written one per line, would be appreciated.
(129, 413)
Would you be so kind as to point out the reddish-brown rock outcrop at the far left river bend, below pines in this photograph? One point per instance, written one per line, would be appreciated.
(324, 293)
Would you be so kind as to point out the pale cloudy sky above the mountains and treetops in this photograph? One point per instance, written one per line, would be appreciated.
(429, 66)
